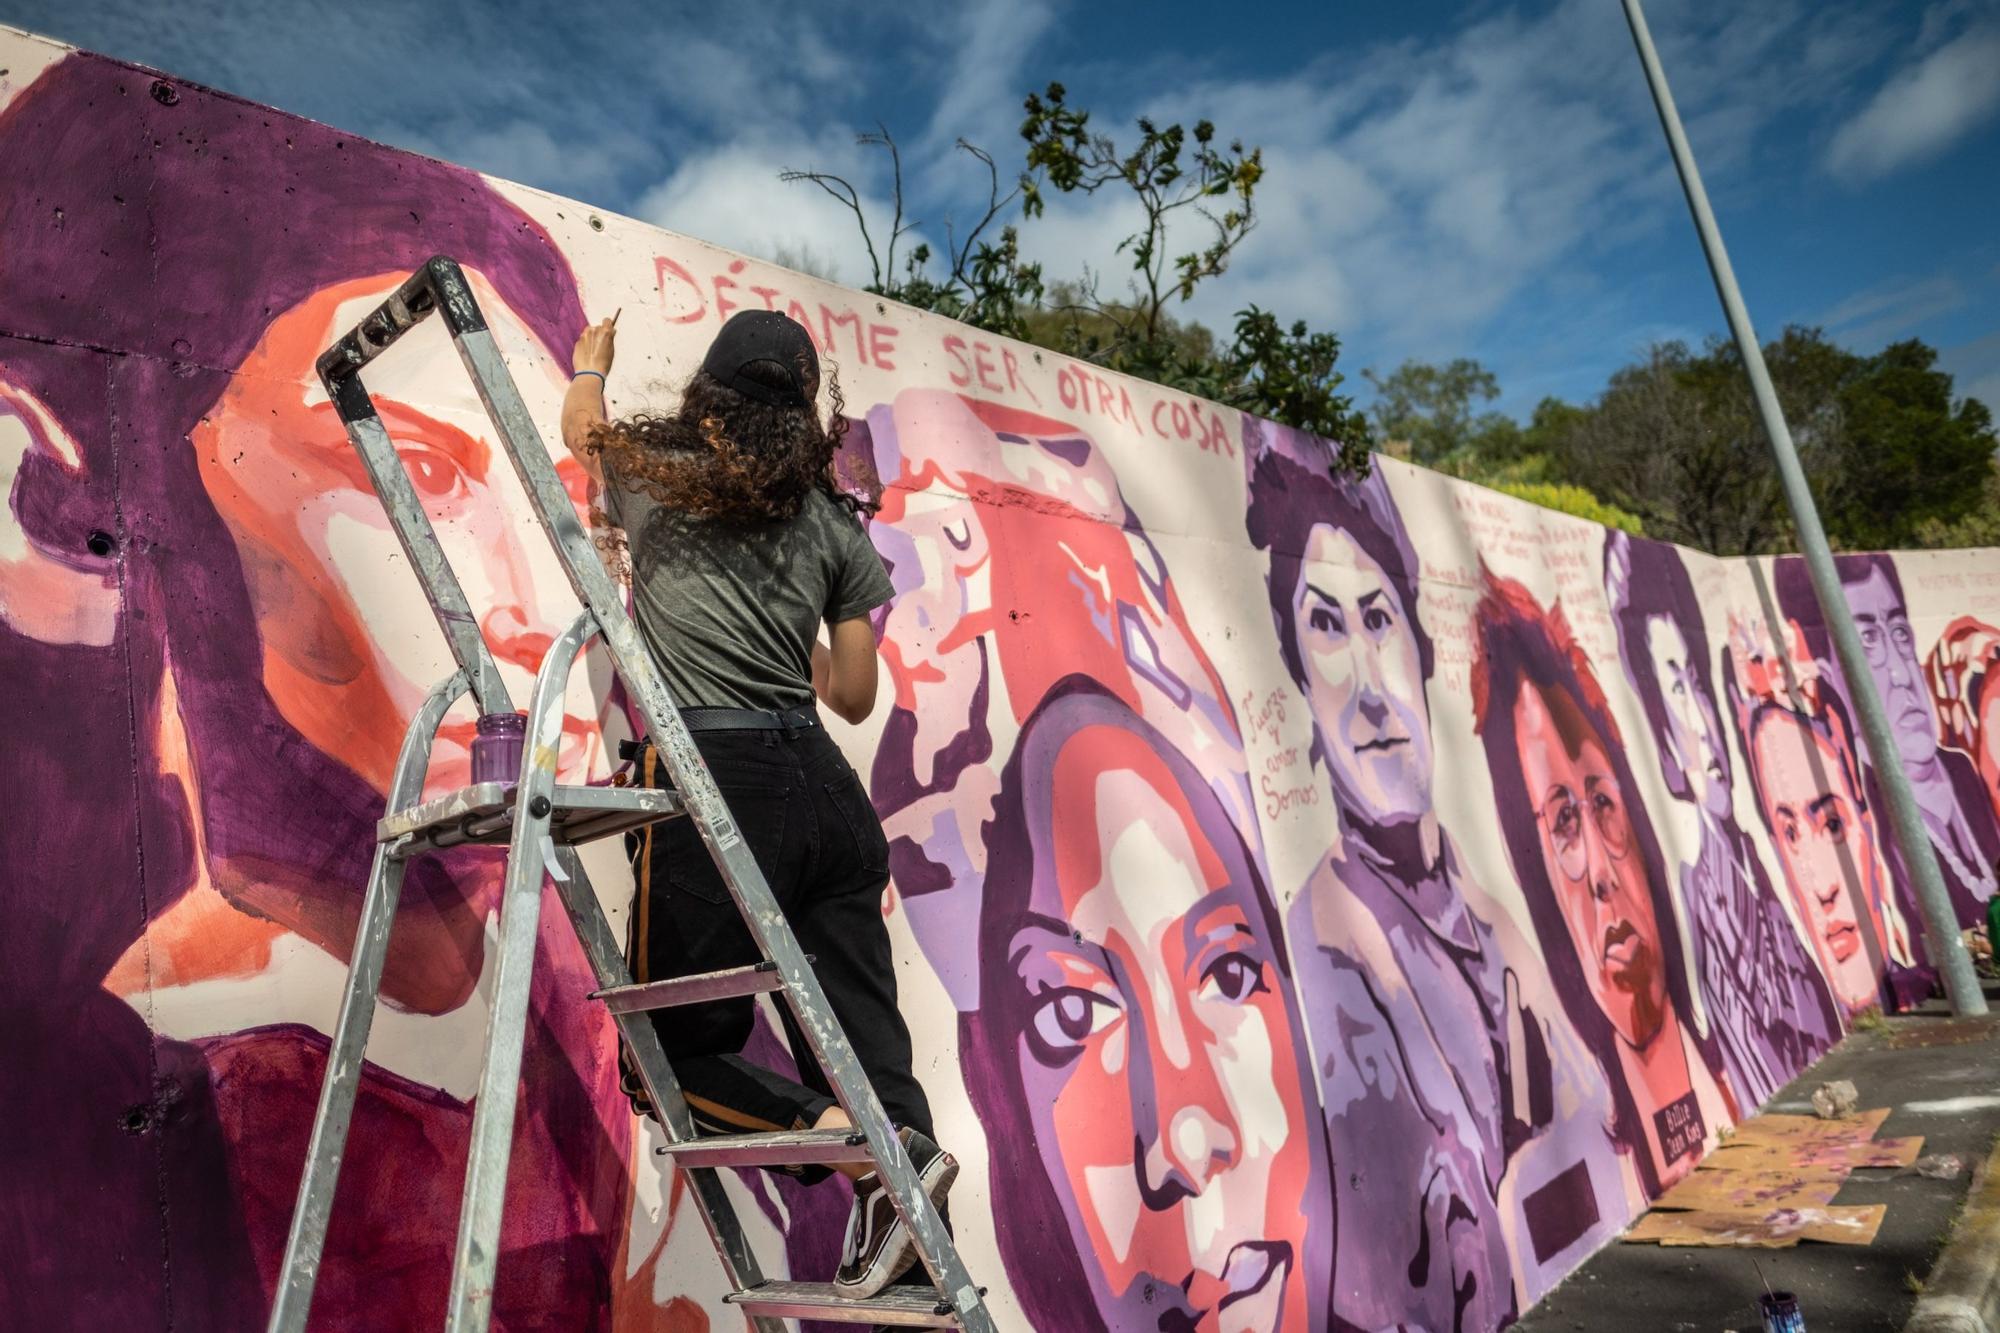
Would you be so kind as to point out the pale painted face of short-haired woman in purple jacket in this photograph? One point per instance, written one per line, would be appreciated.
(1365, 682)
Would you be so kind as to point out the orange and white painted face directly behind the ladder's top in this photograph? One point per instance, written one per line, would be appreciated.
(349, 641)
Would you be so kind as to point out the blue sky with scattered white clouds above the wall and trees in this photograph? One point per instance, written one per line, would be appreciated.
(1443, 179)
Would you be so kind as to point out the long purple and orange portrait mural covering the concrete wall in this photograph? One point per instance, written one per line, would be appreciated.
(1319, 904)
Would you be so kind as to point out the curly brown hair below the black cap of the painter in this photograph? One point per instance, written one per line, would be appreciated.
(727, 457)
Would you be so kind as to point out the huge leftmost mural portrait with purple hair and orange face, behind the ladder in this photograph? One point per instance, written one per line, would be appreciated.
(273, 647)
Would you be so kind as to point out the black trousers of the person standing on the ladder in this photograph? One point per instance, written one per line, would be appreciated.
(815, 834)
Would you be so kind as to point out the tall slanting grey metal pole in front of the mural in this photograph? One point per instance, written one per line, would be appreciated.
(1907, 822)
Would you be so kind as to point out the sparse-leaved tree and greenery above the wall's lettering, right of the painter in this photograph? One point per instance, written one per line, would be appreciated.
(1185, 183)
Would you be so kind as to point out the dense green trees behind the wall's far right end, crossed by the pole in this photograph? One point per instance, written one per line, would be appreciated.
(1675, 445)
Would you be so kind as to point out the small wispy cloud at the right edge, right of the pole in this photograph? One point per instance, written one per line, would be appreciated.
(1923, 109)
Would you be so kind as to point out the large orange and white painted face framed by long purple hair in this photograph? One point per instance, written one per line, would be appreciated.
(1157, 1050)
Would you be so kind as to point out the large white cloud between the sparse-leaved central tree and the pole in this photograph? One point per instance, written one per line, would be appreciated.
(1417, 189)
